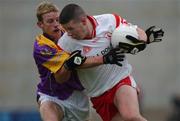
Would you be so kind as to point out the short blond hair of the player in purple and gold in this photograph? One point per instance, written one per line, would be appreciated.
(45, 7)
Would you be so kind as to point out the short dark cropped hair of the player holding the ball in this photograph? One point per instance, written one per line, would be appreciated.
(71, 12)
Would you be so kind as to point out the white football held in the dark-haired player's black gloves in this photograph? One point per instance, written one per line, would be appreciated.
(119, 34)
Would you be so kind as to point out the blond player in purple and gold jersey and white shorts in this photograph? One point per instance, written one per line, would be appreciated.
(59, 92)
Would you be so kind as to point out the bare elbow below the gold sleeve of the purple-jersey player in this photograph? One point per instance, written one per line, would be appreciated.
(62, 75)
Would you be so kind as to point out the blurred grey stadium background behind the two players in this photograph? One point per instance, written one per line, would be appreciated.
(157, 69)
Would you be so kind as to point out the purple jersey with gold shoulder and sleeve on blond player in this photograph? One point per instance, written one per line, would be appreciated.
(49, 58)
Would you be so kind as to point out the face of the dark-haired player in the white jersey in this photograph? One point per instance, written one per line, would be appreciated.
(76, 29)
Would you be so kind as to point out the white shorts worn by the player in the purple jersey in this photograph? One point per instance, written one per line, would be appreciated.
(75, 108)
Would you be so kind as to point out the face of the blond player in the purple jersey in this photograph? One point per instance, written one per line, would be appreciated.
(50, 24)
